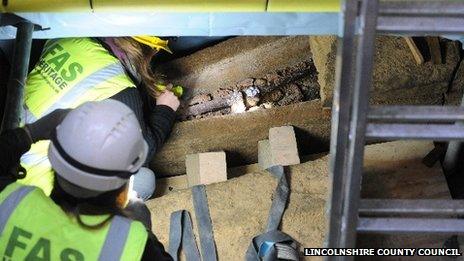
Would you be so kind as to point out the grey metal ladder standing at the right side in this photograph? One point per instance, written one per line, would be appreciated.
(353, 121)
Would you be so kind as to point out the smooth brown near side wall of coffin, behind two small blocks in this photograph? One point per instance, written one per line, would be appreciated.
(238, 135)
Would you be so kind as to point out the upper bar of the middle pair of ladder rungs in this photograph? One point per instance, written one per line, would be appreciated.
(417, 113)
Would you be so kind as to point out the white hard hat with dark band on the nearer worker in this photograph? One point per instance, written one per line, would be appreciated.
(98, 146)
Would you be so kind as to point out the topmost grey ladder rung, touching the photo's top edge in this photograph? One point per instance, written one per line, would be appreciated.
(423, 8)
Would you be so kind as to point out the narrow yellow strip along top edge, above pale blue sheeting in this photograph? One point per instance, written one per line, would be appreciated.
(172, 5)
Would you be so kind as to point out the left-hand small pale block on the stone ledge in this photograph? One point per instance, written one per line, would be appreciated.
(206, 168)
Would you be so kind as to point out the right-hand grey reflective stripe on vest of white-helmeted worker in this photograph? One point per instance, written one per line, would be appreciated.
(115, 239)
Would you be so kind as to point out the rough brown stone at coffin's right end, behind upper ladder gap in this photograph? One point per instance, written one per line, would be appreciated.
(396, 74)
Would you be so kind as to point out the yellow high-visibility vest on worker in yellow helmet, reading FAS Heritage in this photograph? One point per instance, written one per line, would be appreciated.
(70, 71)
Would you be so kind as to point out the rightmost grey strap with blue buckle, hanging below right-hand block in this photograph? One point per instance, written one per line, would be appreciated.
(274, 244)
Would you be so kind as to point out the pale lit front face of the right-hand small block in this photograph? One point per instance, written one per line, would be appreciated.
(282, 143)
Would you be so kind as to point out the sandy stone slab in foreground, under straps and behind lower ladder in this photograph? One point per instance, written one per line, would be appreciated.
(239, 207)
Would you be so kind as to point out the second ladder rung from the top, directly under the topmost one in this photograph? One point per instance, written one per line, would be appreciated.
(420, 25)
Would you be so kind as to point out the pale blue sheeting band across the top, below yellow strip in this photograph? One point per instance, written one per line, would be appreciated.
(178, 24)
